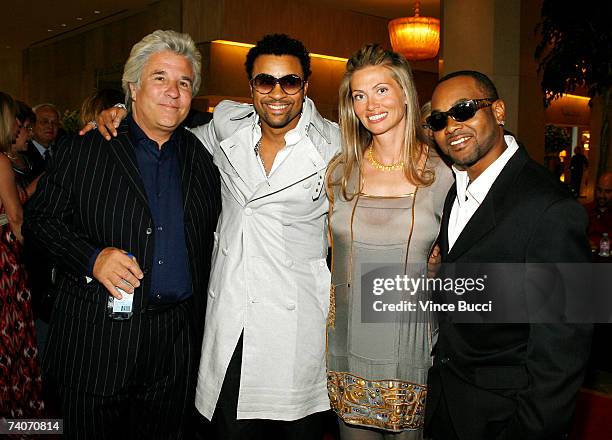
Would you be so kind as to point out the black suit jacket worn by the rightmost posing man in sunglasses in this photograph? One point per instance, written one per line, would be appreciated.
(512, 381)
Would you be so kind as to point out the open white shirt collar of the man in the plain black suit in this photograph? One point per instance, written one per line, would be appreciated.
(479, 188)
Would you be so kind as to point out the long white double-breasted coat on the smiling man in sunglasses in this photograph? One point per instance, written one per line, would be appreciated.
(269, 276)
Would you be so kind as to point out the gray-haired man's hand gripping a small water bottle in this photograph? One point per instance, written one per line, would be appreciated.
(115, 268)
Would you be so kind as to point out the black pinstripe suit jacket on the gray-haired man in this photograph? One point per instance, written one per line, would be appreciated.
(93, 197)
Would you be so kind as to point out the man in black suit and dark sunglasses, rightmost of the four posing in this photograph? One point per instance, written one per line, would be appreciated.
(501, 381)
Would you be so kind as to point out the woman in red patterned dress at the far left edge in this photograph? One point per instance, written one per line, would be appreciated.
(20, 380)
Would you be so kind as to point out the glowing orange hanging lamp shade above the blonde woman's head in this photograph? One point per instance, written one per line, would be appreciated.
(417, 38)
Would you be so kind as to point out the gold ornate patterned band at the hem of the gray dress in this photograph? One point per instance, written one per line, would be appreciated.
(393, 405)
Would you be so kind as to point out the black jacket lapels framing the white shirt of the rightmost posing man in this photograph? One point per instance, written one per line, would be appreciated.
(484, 219)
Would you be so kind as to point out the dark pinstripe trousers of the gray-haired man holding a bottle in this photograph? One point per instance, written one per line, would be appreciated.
(157, 401)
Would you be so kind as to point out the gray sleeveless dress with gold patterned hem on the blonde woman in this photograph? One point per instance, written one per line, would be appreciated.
(377, 371)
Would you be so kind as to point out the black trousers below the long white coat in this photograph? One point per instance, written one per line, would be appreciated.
(226, 427)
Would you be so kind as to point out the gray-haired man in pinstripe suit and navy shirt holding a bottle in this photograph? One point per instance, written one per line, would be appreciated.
(131, 218)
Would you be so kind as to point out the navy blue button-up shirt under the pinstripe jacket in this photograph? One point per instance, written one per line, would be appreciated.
(161, 174)
